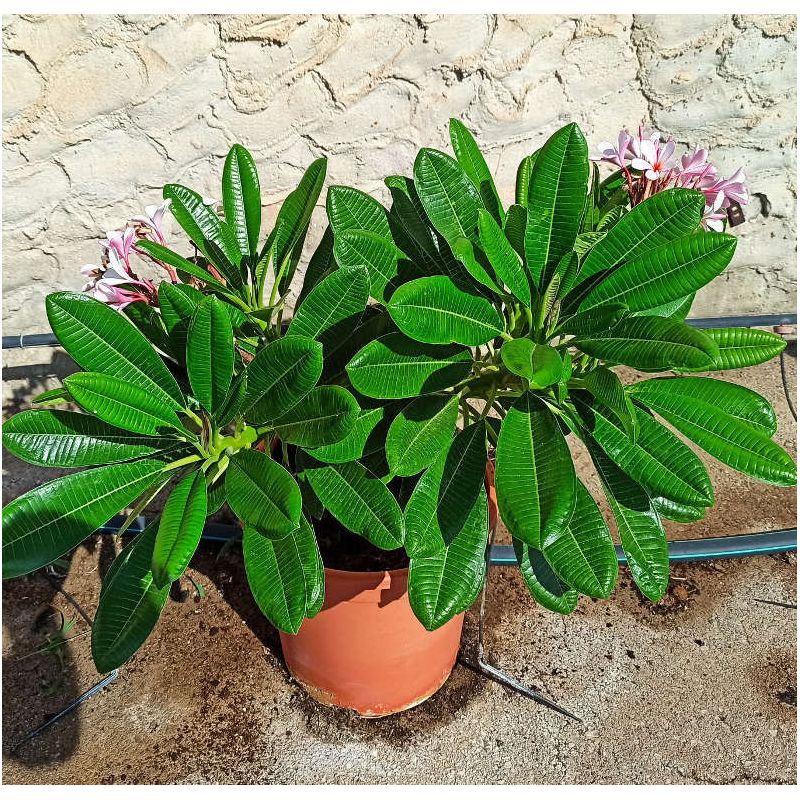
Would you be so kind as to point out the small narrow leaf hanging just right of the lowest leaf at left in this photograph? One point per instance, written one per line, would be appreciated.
(180, 529)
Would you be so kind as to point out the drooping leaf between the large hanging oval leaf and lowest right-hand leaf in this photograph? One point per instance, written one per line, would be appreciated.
(583, 554)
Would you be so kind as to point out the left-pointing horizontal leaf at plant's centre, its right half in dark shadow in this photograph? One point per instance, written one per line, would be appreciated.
(394, 367)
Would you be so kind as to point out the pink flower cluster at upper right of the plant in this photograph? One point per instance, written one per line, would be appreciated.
(651, 165)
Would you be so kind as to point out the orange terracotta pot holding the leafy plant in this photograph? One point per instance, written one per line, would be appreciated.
(366, 650)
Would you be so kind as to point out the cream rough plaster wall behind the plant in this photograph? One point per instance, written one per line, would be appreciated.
(100, 111)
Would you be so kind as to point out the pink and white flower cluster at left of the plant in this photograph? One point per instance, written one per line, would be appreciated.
(114, 281)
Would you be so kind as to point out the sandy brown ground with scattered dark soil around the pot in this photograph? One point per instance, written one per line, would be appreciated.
(700, 688)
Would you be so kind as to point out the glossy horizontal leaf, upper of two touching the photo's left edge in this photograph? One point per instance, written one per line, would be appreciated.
(68, 439)
